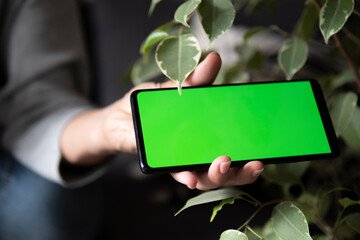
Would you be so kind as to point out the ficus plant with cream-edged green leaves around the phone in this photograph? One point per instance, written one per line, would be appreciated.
(328, 196)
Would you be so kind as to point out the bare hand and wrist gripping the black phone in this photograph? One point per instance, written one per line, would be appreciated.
(112, 131)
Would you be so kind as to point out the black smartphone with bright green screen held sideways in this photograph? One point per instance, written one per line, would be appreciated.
(273, 122)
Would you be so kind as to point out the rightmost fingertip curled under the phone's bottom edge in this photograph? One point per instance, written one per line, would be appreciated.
(245, 175)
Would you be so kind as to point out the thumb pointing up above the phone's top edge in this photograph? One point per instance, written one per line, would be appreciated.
(204, 74)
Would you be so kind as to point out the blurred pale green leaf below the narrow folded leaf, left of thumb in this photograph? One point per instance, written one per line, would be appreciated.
(144, 70)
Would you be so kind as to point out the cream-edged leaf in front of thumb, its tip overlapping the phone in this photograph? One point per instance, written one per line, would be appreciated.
(178, 56)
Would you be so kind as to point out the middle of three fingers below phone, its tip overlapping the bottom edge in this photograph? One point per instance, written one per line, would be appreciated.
(217, 174)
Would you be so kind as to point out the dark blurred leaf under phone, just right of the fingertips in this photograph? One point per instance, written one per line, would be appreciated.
(285, 174)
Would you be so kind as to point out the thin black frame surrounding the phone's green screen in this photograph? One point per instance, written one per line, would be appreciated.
(321, 104)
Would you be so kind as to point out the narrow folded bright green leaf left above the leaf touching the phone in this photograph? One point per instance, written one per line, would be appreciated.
(154, 37)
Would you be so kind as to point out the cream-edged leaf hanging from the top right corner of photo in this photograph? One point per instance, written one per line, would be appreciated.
(333, 15)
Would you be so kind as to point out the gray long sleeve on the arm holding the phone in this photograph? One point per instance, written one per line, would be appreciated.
(46, 87)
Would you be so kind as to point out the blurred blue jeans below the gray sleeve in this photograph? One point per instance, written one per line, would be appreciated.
(33, 208)
